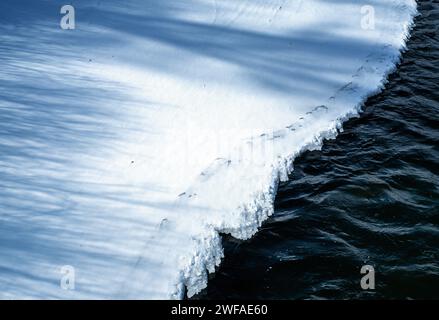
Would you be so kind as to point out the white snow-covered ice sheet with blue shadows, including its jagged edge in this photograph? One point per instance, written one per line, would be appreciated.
(130, 144)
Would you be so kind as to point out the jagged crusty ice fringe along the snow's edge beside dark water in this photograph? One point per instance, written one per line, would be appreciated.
(209, 251)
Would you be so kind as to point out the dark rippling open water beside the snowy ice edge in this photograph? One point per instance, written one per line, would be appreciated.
(369, 197)
